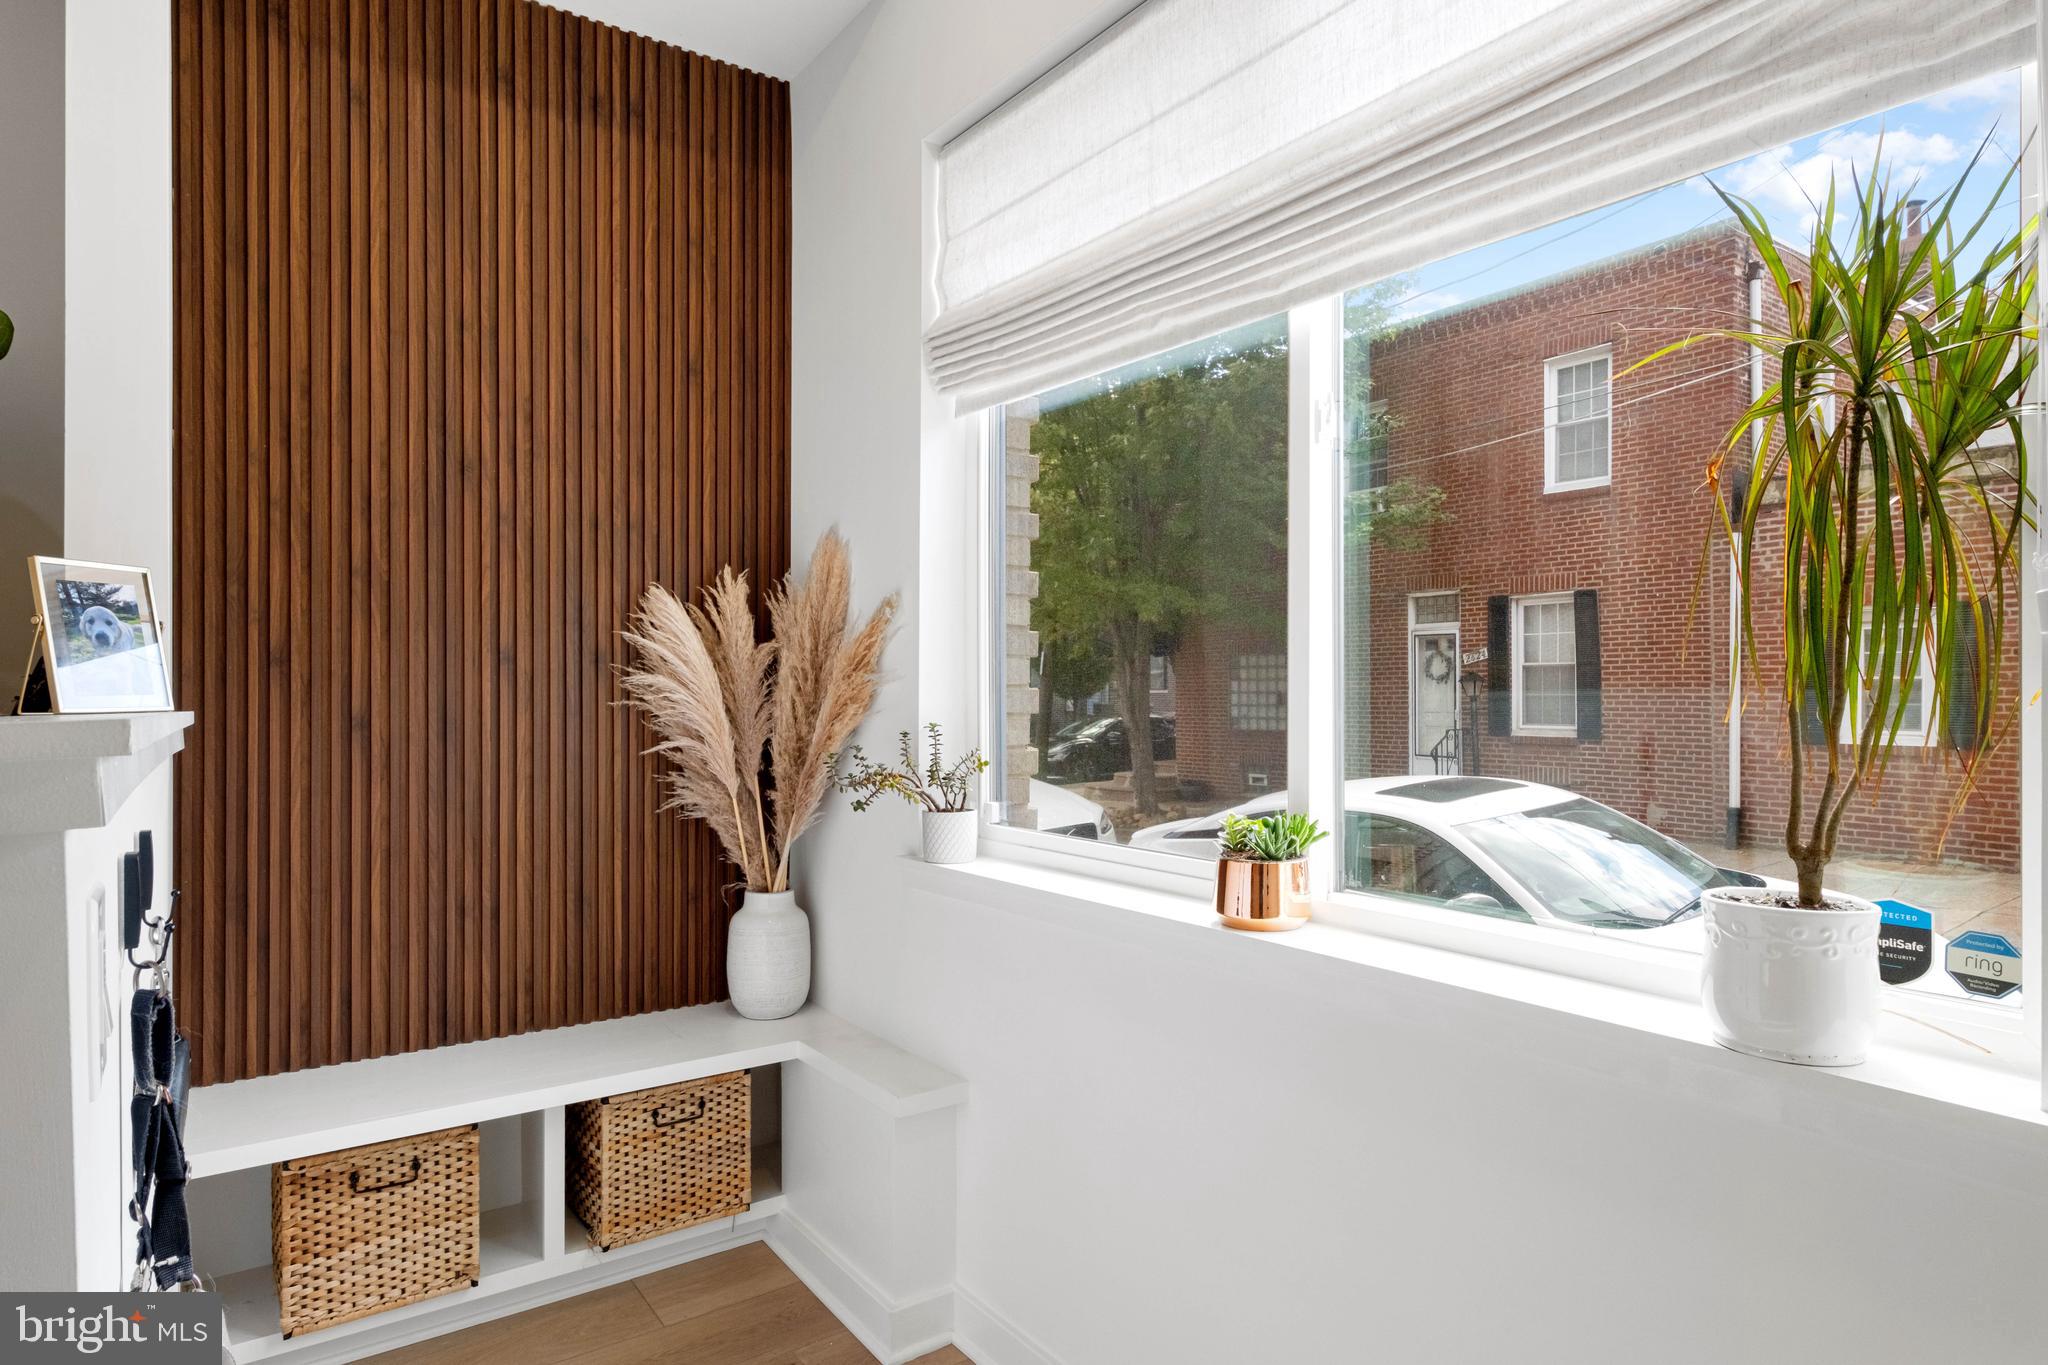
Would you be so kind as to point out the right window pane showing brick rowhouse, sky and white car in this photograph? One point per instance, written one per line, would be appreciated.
(1611, 768)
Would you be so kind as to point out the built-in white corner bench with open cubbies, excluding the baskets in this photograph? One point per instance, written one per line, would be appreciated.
(853, 1186)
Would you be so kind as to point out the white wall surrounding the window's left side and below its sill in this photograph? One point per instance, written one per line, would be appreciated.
(1183, 1151)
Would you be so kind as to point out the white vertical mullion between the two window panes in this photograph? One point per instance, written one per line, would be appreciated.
(1316, 621)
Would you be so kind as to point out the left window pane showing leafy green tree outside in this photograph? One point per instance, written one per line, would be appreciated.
(1146, 592)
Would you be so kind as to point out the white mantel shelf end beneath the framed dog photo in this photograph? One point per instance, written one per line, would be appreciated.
(75, 773)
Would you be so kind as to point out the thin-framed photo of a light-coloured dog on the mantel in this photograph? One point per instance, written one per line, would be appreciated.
(99, 637)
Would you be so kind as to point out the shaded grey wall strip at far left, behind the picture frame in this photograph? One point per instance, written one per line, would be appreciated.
(32, 294)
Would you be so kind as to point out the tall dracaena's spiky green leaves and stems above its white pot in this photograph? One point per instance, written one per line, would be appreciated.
(1871, 509)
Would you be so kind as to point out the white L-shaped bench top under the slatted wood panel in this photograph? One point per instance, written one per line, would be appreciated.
(308, 1112)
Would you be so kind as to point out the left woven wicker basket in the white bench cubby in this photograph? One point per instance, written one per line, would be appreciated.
(372, 1229)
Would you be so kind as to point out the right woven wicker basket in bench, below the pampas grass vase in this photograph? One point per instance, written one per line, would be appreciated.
(663, 1159)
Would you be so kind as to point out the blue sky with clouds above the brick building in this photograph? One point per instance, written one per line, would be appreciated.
(1930, 140)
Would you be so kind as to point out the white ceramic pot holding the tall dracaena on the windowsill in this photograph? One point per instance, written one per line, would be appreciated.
(1787, 983)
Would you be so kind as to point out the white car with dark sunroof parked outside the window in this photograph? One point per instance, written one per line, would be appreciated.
(1512, 850)
